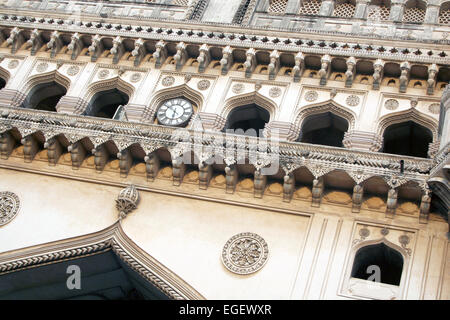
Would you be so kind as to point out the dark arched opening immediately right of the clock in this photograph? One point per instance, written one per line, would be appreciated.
(248, 120)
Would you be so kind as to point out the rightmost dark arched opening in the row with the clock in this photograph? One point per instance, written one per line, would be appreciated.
(408, 139)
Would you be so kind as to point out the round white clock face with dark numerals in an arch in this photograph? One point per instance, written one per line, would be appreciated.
(175, 112)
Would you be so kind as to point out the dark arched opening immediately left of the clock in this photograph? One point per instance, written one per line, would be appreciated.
(104, 104)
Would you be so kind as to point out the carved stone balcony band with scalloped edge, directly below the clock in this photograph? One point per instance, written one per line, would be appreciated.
(290, 154)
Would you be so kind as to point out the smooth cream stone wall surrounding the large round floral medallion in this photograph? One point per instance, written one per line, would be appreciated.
(185, 229)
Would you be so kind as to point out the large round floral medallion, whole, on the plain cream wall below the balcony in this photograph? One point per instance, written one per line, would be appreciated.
(245, 253)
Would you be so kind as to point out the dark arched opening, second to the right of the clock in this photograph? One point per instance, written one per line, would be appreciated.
(326, 129)
